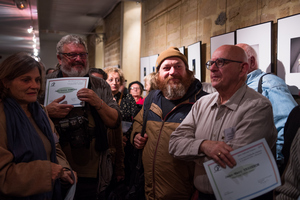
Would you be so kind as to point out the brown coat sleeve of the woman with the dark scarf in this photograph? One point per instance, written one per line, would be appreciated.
(22, 179)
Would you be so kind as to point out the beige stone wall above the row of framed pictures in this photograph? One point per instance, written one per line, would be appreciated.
(184, 22)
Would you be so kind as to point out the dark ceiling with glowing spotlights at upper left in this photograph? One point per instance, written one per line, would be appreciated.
(51, 19)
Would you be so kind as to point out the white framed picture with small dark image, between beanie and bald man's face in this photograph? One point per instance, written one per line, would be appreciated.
(194, 59)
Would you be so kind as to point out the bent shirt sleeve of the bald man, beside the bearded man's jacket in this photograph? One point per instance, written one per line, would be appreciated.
(183, 144)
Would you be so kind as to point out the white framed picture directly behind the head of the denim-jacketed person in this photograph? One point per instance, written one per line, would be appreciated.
(260, 38)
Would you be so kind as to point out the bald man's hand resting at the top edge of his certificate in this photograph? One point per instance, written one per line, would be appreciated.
(219, 151)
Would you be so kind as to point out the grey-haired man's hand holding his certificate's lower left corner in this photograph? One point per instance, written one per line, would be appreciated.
(57, 110)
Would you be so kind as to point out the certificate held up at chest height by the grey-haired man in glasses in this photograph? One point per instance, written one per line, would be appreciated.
(69, 87)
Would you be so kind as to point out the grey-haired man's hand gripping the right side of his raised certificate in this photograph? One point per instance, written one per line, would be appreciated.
(89, 96)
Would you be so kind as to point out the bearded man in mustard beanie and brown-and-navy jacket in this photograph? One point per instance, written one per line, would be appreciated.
(165, 176)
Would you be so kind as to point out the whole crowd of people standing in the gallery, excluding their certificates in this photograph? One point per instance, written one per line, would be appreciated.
(48, 150)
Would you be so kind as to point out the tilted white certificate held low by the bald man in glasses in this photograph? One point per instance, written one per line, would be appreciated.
(256, 173)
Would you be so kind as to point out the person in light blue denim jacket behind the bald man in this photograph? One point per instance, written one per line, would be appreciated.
(275, 89)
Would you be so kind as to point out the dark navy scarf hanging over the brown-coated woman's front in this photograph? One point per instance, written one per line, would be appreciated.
(24, 141)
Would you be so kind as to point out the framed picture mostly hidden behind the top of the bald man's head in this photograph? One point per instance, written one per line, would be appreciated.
(219, 40)
